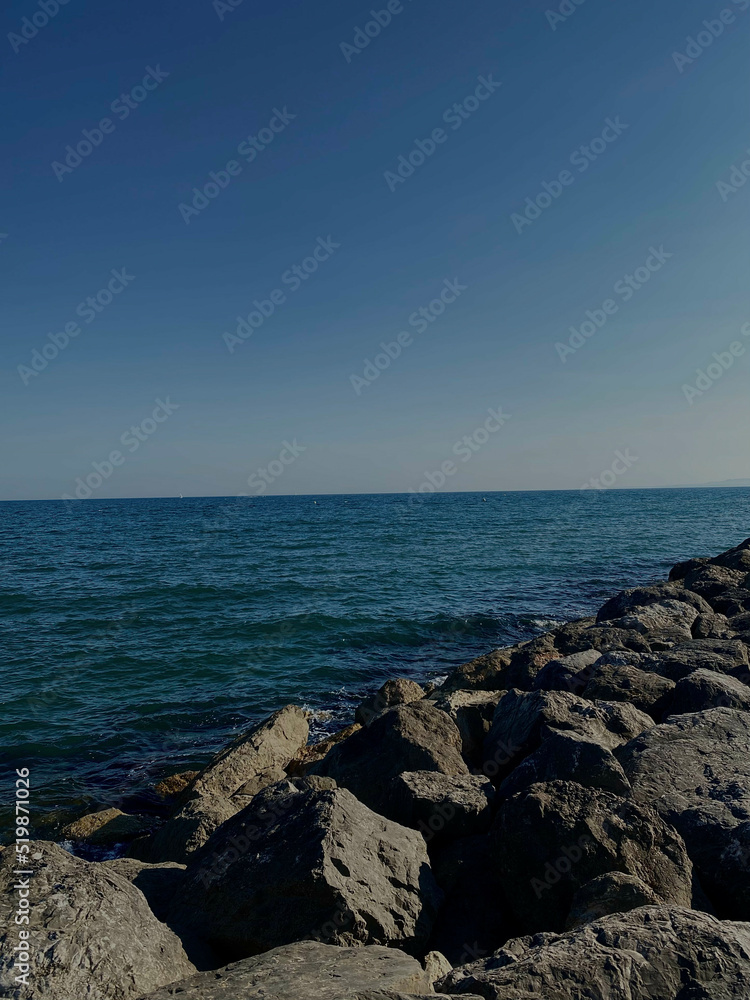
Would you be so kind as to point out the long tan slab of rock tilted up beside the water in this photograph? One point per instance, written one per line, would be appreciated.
(253, 761)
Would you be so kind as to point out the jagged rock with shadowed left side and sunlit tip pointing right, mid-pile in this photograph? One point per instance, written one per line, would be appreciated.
(524, 719)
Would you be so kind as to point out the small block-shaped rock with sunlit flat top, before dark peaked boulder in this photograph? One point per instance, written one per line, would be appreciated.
(441, 806)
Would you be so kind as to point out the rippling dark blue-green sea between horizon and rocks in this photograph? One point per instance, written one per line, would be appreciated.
(141, 635)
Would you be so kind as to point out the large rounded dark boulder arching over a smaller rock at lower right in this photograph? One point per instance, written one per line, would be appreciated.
(552, 838)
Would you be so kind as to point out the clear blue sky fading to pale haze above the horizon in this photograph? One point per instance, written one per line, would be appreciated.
(510, 169)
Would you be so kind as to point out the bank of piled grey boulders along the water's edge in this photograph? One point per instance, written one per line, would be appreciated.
(564, 819)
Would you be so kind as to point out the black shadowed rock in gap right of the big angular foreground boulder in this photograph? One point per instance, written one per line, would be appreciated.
(475, 917)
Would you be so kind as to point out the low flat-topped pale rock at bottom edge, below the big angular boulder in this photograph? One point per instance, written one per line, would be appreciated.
(307, 970)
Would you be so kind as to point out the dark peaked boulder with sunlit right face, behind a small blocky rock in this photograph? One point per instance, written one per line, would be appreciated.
(416, 737)
